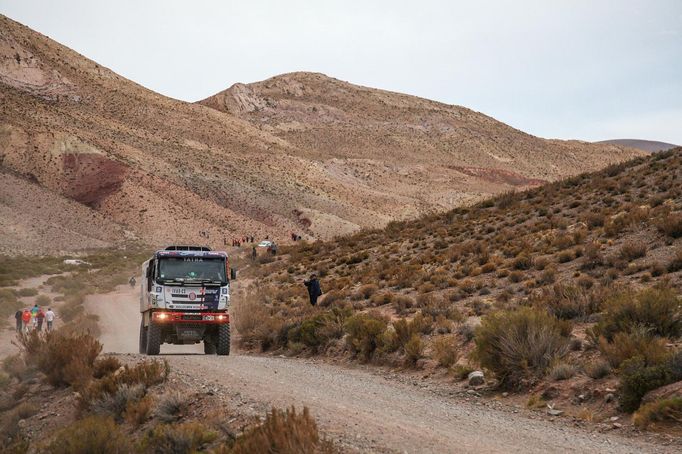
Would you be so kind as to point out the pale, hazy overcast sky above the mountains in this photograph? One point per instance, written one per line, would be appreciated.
(569, 69)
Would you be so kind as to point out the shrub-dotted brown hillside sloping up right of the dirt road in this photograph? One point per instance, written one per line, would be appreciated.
(581, 275)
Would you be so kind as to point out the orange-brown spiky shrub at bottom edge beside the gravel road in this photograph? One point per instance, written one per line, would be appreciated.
(284, 432)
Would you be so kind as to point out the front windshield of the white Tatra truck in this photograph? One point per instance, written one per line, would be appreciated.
(187, 269)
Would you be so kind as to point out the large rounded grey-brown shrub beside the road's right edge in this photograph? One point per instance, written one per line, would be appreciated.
(519, 345)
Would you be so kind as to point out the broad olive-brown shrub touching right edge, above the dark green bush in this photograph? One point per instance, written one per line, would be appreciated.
(657, 309)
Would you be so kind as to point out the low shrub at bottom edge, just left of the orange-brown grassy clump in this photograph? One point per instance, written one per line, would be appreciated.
(186, 438)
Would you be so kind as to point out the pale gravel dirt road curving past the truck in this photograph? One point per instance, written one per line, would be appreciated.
(363, 411)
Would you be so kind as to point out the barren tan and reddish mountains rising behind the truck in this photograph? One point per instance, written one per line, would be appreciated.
(300, 152)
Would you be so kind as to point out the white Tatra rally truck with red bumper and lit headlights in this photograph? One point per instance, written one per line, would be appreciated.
(184, 297)
